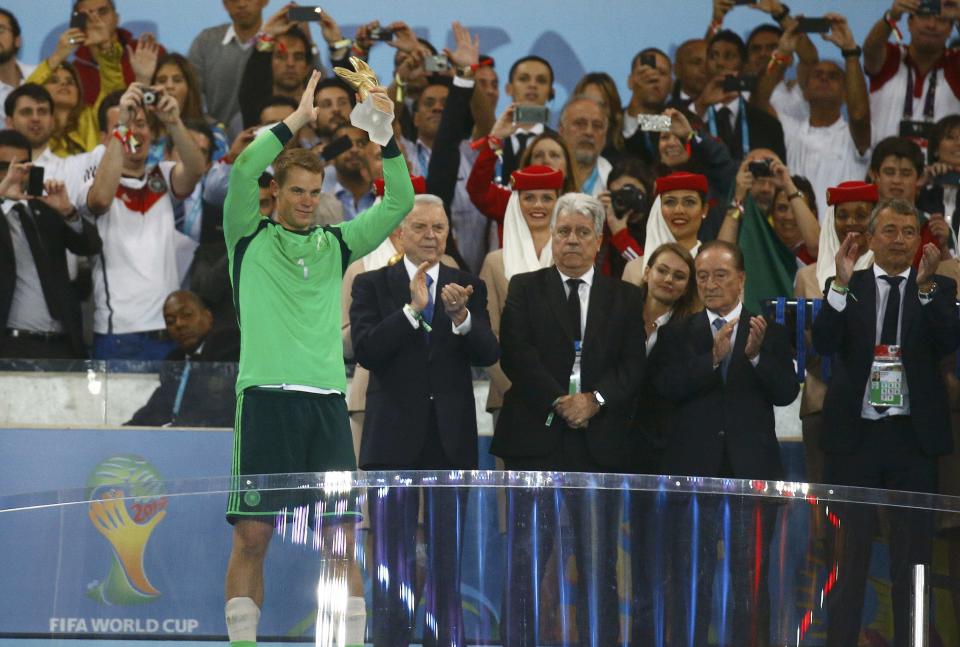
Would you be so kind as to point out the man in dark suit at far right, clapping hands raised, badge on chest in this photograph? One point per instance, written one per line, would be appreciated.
(886, 413)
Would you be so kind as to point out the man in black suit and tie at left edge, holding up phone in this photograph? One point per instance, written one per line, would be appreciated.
(39, 309)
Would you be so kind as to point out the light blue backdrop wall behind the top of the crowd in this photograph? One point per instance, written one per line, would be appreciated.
(576, 37)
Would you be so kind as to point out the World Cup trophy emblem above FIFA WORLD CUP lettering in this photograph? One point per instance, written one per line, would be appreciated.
(127, 503)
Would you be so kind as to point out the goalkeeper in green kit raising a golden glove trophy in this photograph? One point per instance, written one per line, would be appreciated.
(291, 413)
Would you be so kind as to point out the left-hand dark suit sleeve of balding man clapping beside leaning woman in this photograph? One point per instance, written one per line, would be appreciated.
(685, 372)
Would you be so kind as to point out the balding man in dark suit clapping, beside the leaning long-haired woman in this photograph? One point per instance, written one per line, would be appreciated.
(725, 370)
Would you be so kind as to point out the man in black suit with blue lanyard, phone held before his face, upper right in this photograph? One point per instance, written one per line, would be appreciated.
(728, 115)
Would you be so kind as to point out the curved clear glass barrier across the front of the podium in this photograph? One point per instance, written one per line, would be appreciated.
(478, 558)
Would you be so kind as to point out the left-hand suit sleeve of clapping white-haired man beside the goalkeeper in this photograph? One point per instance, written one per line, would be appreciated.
(376, 339)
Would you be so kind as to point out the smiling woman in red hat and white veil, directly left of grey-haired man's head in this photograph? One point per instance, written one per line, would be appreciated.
(526, 248)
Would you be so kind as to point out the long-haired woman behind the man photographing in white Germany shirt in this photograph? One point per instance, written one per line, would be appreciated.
(175, 75)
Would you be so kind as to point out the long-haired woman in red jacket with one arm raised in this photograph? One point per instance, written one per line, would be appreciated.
(547, 149)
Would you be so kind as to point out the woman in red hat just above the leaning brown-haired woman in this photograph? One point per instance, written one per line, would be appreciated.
(675, 217)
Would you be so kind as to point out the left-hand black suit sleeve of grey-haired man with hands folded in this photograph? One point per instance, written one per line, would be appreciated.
(520, 357)
